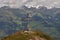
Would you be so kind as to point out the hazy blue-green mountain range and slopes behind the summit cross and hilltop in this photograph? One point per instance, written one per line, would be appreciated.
(46, 20)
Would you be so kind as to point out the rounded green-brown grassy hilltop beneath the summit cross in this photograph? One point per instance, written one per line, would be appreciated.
(28, 35)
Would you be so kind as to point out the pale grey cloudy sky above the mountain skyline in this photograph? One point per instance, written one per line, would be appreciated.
(35, 3)
